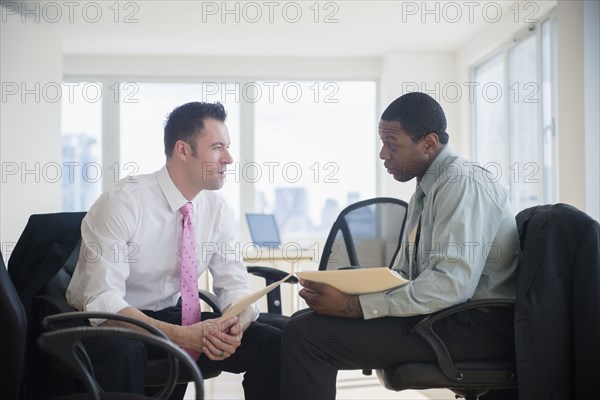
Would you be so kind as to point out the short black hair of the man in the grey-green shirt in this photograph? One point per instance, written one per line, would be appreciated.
(419, 114)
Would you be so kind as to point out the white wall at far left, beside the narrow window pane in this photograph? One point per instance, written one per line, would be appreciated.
(29, 125)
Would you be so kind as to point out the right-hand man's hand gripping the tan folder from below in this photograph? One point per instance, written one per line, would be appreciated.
(327, 300)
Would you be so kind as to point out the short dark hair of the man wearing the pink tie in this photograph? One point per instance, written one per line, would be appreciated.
(186, 121)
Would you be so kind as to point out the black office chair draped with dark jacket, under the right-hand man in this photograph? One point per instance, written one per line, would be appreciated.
(557, 322)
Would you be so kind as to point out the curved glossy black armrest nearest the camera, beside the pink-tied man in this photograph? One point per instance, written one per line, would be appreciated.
(65, 345)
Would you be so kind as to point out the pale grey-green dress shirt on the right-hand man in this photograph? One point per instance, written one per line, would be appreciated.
(468, 248)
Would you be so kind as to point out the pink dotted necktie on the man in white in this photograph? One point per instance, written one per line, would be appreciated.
(190, 309)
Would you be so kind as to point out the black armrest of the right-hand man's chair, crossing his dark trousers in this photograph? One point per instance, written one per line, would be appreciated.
(425, 329)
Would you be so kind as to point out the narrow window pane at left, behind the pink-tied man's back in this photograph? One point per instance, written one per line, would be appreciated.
(81, 127)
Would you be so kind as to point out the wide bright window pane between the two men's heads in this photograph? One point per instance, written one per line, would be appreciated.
(316, 150)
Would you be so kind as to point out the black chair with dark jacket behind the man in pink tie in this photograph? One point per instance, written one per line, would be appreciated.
(41, 267)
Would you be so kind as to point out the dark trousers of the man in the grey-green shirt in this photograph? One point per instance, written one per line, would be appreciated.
(315, 347)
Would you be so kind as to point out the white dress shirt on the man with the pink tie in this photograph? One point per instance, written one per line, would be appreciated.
(131, 243)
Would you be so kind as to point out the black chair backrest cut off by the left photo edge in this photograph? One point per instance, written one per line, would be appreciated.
(12, 336)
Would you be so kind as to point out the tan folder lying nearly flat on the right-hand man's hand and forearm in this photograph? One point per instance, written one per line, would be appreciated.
(357, 281)
